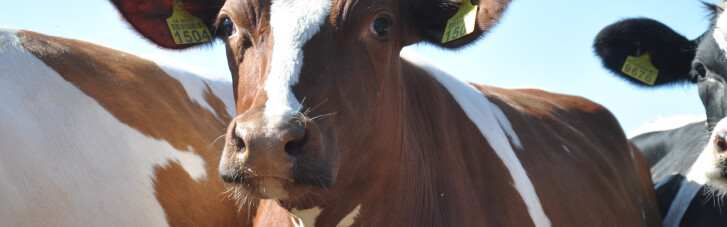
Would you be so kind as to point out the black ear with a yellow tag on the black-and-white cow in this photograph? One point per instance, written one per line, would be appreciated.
(639, 45)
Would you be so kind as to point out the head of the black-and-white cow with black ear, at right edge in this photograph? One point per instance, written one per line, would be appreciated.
(701, 61)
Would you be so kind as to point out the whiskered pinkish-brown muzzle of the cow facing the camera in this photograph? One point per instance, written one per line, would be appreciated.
(274, 159)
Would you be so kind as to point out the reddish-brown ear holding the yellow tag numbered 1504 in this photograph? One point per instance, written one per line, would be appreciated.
(149, 18)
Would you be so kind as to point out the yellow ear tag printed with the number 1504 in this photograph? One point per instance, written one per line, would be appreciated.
(185, 27)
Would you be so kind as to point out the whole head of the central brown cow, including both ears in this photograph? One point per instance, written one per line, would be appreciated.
(316, 82)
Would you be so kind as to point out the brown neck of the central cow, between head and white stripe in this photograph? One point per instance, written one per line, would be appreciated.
(435, 168)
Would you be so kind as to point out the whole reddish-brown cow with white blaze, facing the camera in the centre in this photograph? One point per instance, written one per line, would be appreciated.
(337, 128)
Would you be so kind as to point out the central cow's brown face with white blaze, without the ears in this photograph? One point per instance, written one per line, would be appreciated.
(307, 91)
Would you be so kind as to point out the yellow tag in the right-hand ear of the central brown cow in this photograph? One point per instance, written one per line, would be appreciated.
(462, 23)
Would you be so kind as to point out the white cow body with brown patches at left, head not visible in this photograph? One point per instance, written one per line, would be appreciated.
(92, 136)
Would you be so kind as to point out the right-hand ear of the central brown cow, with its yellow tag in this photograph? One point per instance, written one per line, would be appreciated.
(454, 23)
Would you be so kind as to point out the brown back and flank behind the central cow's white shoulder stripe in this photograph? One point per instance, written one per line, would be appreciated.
(589, 163)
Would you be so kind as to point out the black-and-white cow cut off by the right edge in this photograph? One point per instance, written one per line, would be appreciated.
(689, 177)
